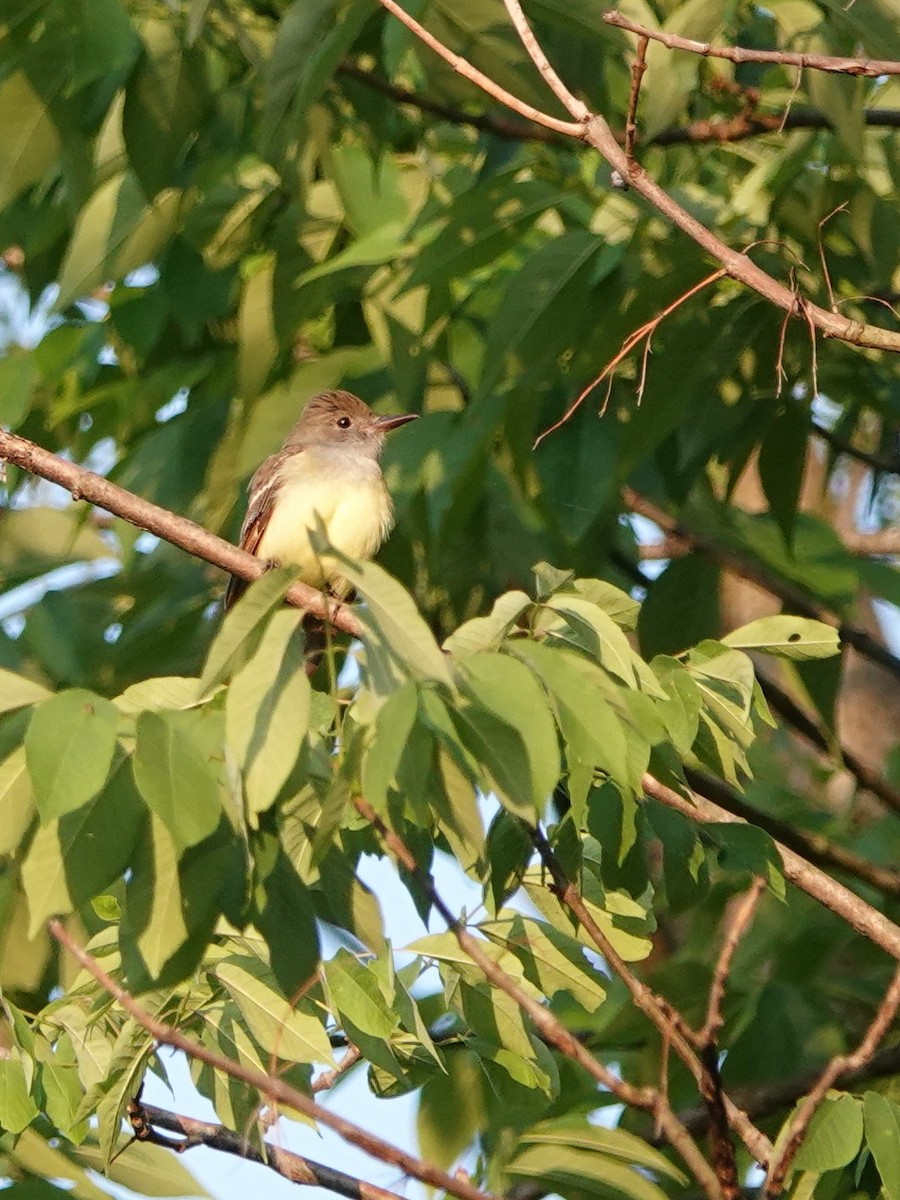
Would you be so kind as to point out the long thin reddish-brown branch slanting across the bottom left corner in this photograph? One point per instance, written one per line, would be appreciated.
(269, 1087)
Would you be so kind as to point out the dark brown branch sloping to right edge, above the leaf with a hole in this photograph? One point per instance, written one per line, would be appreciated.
(765, 578)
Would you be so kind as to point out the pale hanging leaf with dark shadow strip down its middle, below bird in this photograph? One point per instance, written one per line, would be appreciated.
(268, 710)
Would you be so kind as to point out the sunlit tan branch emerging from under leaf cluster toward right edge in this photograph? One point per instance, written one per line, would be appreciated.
(817, 884)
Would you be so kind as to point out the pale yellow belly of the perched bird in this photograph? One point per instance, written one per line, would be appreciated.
(357, 518)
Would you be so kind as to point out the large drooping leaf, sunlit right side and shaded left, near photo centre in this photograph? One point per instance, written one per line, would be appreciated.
(511, 729)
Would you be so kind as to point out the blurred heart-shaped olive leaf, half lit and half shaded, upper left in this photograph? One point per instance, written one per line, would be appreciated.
(116, 232)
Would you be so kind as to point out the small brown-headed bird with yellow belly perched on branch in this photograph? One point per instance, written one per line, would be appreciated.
(327, 472)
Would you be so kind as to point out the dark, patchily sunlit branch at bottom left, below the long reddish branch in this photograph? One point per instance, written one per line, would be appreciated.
(147, 1119)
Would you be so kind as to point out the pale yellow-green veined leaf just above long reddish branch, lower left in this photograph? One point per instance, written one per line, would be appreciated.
(281, 1030)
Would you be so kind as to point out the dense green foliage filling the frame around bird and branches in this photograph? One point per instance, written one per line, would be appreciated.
(239, 206)
